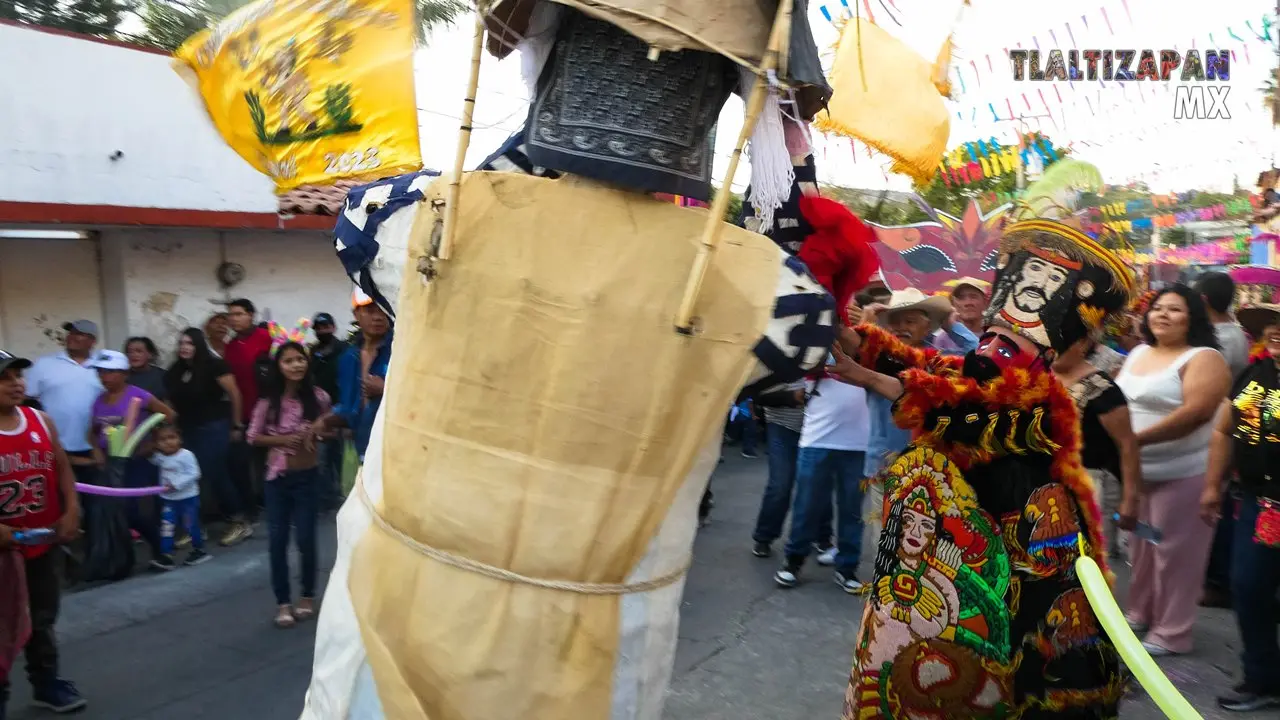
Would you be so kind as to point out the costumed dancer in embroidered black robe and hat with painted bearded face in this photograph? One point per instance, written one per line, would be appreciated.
(976, 610)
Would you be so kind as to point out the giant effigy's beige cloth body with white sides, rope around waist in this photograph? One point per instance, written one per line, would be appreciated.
(543, 420)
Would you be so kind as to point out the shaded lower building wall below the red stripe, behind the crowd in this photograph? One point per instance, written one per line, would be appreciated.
(158, 282)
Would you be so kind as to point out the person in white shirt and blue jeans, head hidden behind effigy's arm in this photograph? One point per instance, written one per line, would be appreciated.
(833, 454)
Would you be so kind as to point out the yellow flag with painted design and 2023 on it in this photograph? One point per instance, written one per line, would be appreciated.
(309, 92)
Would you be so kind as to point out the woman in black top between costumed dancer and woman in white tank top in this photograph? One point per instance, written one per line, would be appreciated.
(1109, 449)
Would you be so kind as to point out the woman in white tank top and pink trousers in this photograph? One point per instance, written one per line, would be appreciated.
(1174, 386)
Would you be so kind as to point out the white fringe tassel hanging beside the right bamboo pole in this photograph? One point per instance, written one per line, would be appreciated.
(772, 172)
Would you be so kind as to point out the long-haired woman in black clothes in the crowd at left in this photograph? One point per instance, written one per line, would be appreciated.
(203, 391)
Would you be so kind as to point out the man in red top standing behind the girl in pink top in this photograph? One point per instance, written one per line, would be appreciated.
(248, 354)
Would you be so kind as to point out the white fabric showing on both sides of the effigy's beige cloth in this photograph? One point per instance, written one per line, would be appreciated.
(342, 683)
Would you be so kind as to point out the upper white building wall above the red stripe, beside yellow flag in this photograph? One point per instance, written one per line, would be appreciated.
(70, 106)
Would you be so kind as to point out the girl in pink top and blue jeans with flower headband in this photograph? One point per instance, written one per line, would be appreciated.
(287, 421)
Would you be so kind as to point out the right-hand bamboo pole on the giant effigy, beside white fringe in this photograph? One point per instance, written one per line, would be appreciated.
(715, 222)
